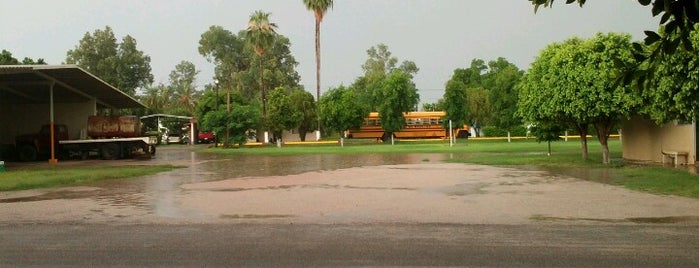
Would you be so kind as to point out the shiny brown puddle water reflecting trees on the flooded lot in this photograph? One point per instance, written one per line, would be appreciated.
(159, 193)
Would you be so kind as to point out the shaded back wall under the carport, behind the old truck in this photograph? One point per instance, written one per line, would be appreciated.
(28, 118)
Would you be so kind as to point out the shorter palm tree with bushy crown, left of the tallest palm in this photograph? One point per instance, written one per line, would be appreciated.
(261, 34)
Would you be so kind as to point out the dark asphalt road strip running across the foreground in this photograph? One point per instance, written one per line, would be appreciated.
(216, 245)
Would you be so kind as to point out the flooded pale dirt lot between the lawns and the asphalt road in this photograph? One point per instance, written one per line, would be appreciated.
(331, 189)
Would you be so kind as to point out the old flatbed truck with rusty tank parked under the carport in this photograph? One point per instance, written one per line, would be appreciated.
(111, 137)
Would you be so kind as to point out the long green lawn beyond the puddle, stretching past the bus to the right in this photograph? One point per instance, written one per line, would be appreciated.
(518, 153)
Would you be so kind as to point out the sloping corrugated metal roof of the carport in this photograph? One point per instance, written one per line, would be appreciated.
(30, 84)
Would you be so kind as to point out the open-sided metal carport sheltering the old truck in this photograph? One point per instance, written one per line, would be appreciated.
(33, 95)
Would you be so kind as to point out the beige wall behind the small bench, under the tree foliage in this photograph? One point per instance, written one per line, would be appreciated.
(643, 139)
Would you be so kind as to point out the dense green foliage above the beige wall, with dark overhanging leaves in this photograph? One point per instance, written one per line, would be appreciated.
(676, 38)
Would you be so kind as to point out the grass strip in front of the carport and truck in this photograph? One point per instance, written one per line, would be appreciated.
(55, 176)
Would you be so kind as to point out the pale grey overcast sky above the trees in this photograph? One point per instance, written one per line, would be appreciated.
(438, 35)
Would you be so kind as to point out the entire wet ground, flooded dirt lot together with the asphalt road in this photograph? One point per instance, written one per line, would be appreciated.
(330, 210)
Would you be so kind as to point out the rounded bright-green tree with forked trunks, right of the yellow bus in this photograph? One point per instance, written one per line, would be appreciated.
(575, 82)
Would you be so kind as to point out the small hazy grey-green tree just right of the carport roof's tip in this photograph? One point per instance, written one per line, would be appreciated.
(183, 86)
